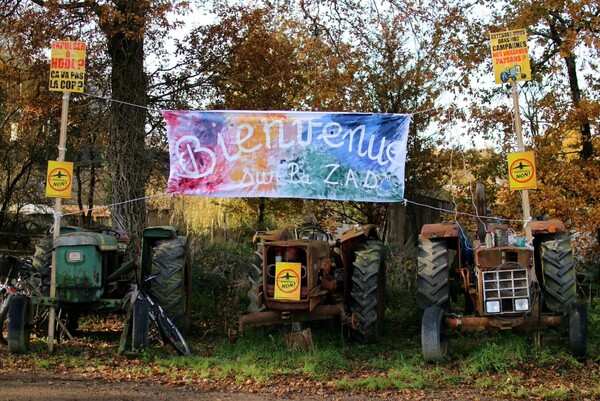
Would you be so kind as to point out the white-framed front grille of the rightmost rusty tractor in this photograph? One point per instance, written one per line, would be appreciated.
(507, 287)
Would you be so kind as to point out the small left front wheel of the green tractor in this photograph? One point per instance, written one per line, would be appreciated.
(19, 328)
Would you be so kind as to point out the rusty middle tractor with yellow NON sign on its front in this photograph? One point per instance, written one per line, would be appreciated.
(315, 276)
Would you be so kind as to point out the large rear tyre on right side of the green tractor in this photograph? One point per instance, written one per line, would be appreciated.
(171, 287)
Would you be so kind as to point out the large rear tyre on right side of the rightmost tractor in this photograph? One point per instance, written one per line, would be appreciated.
(558, 266)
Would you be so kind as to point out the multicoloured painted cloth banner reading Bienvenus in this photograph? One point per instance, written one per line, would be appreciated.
(313, 155)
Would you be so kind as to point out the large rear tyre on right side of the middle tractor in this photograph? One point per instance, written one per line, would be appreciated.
(367, 294)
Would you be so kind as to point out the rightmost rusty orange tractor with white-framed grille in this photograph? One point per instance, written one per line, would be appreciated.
(495, 284)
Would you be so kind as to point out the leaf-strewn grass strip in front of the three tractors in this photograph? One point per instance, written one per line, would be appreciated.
(490, 362)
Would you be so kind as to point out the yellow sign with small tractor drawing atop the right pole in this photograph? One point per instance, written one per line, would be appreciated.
(511, 56)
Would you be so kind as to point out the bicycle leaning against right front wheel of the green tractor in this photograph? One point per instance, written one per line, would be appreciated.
(141, 309)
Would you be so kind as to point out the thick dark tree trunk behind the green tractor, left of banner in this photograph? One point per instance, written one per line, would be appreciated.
(127, 151)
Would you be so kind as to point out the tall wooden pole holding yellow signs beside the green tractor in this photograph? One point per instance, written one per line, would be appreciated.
(62, 141)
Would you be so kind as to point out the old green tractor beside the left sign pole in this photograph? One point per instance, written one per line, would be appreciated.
(93, 275)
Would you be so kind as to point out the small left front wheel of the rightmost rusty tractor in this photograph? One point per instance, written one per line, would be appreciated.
(433, 340)
